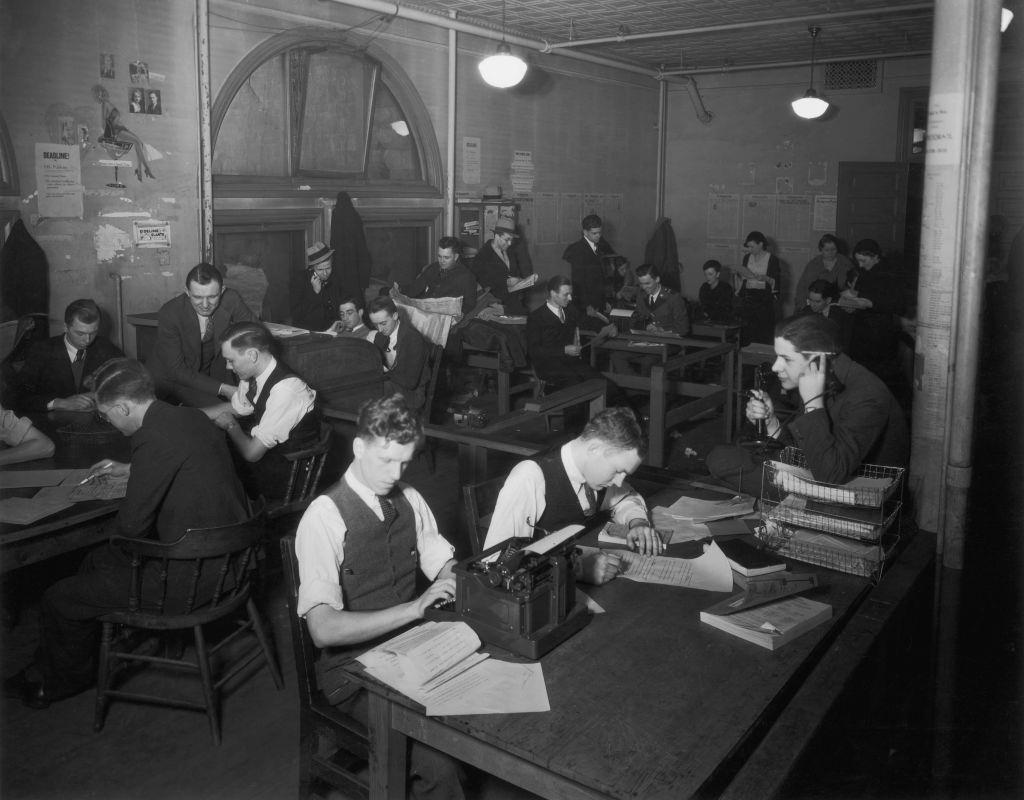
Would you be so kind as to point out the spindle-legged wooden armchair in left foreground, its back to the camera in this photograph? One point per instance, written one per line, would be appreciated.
(203, 578)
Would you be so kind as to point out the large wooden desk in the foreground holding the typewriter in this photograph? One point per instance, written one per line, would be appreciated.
(648, 703)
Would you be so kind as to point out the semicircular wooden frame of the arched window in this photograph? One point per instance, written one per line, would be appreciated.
(392, 75)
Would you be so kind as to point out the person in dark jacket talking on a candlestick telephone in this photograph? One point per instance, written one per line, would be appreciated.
(846, 416)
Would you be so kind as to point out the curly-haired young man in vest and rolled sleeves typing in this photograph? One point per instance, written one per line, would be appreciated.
(359, 546)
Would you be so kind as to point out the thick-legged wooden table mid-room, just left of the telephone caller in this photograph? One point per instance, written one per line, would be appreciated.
(665, 383)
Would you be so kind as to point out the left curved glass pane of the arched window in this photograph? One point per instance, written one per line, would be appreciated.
(251, 141)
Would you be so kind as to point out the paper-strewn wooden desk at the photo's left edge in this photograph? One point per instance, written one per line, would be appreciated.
(82, 525)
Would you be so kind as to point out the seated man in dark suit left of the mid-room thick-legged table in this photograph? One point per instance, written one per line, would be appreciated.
(551, 338)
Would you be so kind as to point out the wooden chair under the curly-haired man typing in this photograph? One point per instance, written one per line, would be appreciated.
(333, 747)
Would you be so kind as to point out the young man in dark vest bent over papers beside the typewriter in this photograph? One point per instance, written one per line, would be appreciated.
(568, 486)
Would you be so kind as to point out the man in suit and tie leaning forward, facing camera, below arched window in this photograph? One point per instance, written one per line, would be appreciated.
(187, 363)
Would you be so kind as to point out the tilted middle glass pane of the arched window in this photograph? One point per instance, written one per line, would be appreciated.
(334, 120)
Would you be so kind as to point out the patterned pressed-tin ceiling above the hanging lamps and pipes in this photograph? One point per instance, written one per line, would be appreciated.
(708, 35)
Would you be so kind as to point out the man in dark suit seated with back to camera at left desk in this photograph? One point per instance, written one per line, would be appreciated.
(181, 477)
